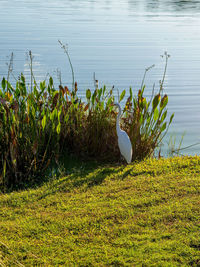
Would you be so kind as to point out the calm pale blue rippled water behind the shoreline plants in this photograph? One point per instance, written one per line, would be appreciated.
(117, 40)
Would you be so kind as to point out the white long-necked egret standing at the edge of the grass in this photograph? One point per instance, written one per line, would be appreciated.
(124, 142)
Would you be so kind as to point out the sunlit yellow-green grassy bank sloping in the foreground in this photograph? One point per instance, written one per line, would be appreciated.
(143, 214)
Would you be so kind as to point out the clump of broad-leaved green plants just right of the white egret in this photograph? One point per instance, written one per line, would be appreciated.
(145, 122)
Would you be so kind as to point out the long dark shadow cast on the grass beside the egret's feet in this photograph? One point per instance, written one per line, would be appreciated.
(70, 173)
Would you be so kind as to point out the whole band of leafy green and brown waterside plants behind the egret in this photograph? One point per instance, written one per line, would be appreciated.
(40, 124)
